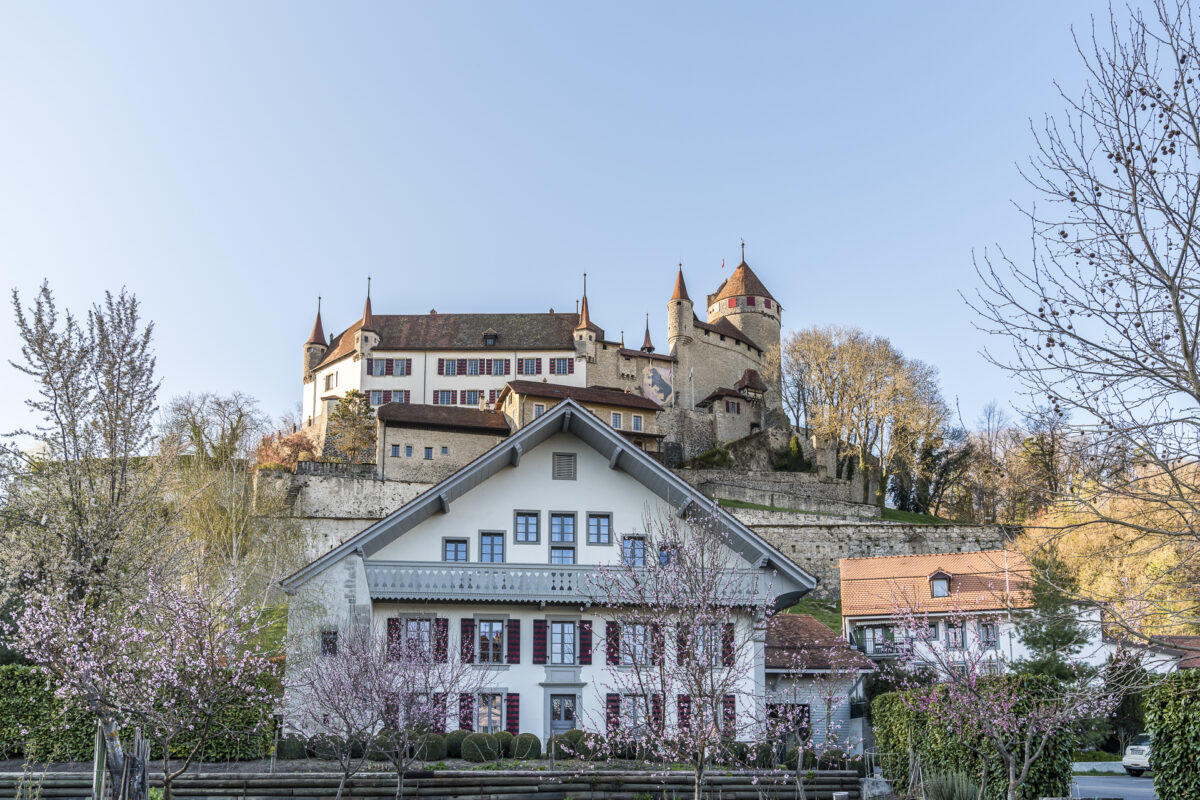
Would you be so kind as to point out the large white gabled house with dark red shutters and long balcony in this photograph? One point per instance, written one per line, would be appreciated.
(497, 557)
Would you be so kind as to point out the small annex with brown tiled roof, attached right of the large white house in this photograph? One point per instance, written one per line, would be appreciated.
(813, 667)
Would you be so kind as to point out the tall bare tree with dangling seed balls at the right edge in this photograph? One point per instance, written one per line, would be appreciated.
(1105, 321)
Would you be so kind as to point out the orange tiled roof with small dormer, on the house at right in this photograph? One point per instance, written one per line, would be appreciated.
(980, 581)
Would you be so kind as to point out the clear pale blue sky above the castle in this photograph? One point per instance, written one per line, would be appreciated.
(231, 161)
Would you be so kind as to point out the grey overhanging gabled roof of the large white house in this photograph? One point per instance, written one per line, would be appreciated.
(568, 417)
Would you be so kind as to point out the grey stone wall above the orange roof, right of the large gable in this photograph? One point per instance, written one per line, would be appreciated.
(819, 546)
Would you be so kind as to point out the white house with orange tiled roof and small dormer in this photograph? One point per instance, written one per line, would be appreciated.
(973, 603)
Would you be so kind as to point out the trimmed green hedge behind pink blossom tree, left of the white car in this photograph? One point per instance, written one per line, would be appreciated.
(940, 749)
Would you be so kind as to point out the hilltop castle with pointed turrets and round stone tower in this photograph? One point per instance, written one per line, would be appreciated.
(712, 387)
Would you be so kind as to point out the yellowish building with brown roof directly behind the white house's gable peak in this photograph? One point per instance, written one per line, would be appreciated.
(633, 416)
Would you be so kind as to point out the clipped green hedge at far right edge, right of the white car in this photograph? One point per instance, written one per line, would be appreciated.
(1173, 718)
